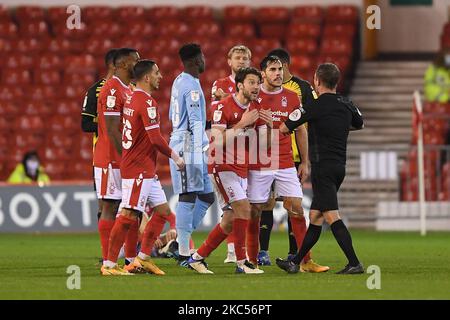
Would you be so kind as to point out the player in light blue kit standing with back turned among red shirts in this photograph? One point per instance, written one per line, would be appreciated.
(188, 115)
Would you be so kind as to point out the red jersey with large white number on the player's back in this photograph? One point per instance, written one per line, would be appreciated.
(140, 118)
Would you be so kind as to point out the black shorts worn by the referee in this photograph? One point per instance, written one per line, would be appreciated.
(326, 179)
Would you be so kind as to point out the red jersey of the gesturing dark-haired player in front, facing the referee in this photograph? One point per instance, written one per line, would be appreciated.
(226, 114)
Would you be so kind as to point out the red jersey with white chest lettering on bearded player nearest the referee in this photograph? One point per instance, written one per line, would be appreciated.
(282, 103)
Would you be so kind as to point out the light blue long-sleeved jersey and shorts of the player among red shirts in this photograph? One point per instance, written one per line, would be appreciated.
(188, 116)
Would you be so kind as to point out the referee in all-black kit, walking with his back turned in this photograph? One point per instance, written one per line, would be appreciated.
(330, 118)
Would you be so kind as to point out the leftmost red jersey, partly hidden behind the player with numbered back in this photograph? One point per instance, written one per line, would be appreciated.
(111, 100)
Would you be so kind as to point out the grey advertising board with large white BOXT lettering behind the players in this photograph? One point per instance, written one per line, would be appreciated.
(73, 208)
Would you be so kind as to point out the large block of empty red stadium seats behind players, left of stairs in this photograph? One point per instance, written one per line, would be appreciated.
(58, 64)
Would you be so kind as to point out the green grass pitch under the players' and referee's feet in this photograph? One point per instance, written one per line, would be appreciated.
(412, 267)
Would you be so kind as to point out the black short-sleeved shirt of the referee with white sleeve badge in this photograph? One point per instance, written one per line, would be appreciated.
(330, 118)
